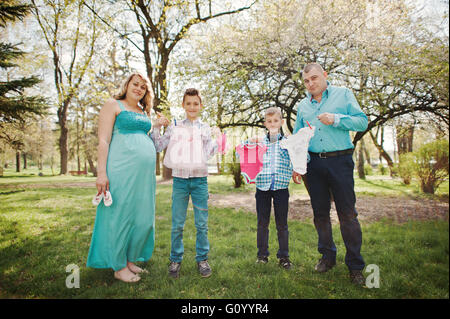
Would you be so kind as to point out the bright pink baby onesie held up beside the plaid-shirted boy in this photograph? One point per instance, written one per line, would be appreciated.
(251, 160)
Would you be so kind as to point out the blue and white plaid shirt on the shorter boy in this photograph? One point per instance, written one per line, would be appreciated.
(277, 167)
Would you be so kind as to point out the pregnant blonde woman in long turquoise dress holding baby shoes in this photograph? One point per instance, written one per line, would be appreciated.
(124, 232)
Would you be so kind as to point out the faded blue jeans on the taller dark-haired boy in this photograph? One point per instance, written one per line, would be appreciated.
(197, 188)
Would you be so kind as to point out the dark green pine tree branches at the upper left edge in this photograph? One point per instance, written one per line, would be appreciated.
(15, 106)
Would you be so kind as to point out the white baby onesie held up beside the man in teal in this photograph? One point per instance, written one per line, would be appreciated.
(297, 146)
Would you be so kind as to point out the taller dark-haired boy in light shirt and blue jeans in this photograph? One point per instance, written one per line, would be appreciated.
(188, 180)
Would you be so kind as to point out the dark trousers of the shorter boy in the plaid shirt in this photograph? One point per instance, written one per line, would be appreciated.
(263, 208)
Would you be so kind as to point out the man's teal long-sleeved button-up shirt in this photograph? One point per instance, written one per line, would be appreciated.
(348, 116)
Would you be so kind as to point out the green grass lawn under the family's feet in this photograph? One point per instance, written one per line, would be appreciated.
(44, 229)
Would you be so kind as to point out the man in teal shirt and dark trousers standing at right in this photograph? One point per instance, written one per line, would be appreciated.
(334, 112)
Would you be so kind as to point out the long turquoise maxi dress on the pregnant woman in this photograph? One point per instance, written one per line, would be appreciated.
(125, 231)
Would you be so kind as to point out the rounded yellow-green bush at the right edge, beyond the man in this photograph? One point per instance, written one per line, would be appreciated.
(431, 165)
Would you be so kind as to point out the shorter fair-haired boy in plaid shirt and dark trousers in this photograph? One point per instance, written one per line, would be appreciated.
(272, 183)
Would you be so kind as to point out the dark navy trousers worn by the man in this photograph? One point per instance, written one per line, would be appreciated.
(335, 174)
